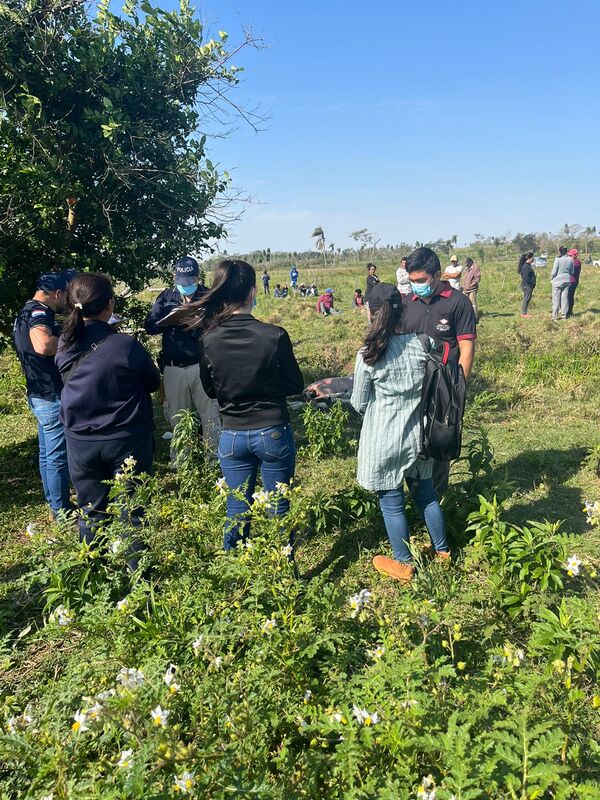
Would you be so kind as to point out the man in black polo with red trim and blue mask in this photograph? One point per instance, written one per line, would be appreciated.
(445, 314)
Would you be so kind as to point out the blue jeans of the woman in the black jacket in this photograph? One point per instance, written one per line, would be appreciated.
(241, 454)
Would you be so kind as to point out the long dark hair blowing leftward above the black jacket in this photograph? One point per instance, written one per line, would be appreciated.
(232, 283)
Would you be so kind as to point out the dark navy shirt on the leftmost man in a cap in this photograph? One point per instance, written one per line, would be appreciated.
(41, 375)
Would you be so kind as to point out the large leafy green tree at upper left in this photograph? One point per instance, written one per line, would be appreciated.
(102, 165)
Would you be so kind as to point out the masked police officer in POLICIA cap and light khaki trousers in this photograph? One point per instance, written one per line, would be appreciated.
(180, 354)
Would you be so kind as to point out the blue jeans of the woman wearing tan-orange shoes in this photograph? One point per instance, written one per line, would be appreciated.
(396, 524)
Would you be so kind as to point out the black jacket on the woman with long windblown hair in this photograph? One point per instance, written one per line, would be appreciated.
(250, 368)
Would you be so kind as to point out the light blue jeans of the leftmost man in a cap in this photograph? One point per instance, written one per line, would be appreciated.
(53, 452)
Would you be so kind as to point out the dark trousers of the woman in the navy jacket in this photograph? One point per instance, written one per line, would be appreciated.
(92, 463)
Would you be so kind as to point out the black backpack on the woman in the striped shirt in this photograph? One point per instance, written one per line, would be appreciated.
(442, 404)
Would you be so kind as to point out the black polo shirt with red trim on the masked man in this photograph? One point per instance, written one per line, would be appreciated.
(448, 317)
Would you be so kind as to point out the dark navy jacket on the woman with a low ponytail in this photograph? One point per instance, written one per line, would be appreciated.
(108, 395)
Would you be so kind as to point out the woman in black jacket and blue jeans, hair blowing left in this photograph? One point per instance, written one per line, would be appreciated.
(250, 368)
